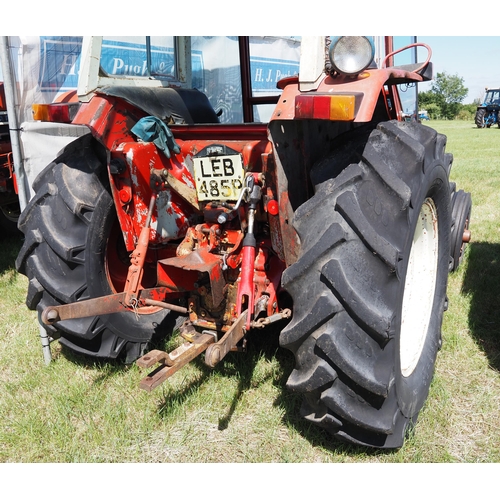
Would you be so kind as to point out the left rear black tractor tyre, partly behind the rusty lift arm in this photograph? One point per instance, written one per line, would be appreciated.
(70, 253)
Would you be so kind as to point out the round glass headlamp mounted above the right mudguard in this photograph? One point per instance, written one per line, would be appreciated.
(350, 55)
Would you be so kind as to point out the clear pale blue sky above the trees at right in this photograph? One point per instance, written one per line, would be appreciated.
(476, 59)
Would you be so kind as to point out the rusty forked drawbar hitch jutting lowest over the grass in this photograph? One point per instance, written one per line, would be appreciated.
(170, 363)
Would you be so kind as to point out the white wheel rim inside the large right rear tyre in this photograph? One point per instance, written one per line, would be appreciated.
(419, 290)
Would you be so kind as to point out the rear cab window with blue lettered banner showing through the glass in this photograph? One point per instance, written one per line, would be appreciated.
(238, 75)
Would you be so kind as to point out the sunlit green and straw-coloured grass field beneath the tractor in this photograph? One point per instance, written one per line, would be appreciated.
(79, 411)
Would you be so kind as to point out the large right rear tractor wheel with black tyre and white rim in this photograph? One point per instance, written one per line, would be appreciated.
(369, 286)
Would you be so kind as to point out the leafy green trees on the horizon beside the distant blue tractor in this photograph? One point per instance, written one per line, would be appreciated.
(444, 100)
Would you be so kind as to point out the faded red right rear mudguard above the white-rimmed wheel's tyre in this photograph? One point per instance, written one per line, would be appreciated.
(298, 143)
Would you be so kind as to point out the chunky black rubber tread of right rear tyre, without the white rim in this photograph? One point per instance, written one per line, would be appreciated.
(345, 283)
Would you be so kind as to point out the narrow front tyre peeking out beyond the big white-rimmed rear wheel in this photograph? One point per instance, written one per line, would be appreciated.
(460, 214)
